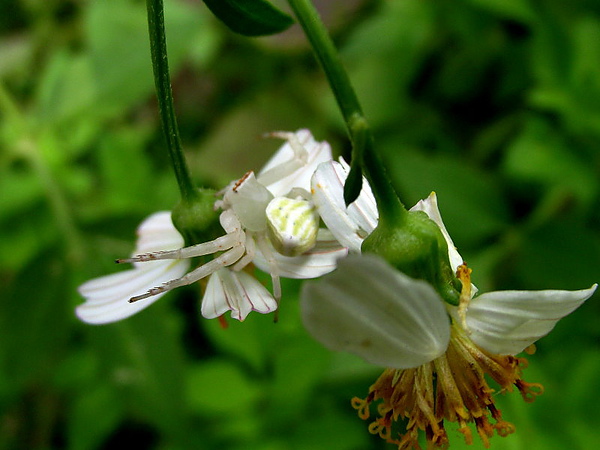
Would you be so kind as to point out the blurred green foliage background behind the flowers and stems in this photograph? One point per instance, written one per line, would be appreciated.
(494, 104)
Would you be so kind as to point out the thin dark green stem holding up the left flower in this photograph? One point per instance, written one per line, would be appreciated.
(162, 80)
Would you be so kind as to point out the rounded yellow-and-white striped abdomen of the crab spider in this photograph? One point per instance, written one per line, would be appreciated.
(292, 224)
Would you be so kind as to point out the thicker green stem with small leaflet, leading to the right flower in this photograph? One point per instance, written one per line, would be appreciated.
(364, 156)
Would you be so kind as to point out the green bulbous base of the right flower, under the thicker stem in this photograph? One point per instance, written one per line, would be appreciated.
(416, 247)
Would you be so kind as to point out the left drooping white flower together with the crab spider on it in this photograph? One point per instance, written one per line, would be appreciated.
(269, 220)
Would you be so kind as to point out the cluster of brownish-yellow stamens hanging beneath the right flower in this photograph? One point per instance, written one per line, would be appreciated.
(452, 388)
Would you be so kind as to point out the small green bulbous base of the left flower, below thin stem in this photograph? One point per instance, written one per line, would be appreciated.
(197, 220)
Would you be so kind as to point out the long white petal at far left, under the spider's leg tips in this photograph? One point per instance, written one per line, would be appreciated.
(107, 298)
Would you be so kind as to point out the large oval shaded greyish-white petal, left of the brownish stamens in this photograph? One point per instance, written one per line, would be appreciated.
(368, 308)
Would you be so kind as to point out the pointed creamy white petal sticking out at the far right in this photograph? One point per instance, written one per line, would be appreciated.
(506, 322)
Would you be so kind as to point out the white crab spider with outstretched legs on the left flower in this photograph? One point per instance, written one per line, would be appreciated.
(290, 224)
